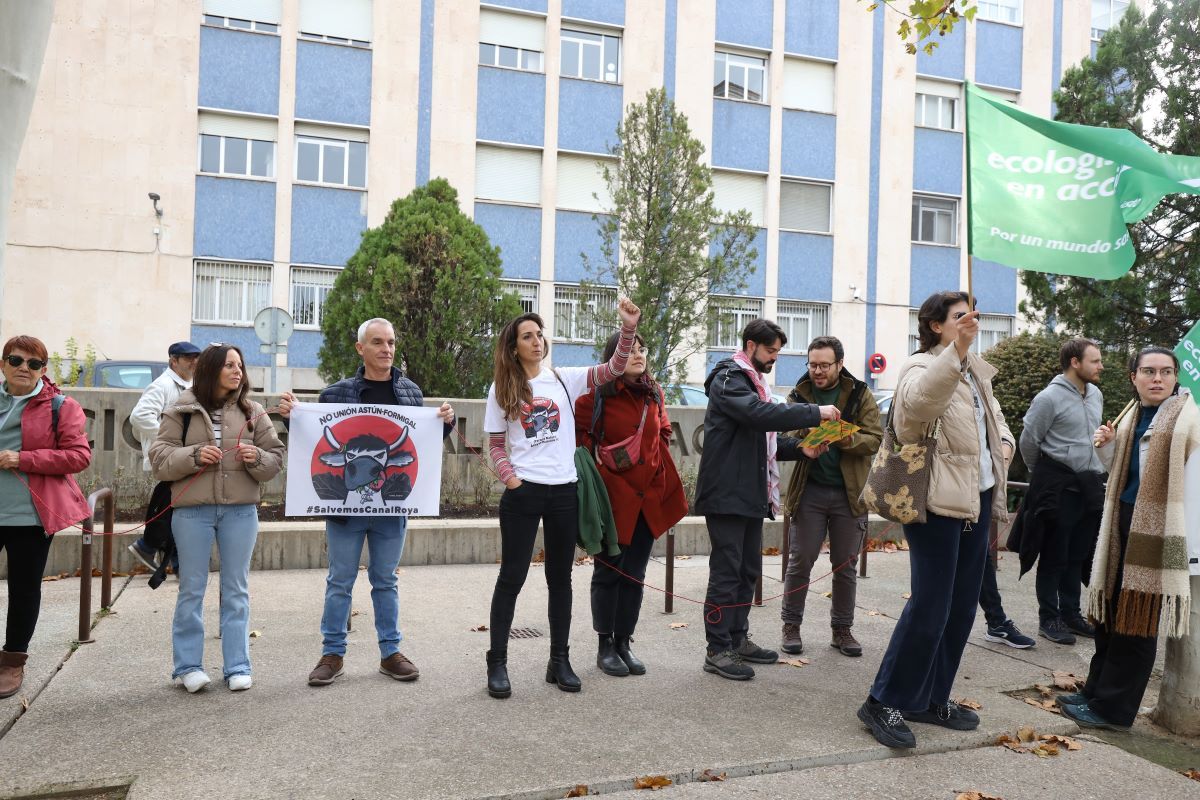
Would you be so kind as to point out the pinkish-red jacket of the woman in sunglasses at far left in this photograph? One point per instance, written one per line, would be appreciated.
(51, 465)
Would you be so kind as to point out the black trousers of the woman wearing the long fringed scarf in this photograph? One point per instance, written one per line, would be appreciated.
(1121, 667)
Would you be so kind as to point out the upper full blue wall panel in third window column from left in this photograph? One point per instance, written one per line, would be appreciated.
(512, 106)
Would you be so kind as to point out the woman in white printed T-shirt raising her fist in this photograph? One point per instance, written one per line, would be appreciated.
(531, 428)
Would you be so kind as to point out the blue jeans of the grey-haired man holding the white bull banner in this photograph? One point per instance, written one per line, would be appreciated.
(386, 544)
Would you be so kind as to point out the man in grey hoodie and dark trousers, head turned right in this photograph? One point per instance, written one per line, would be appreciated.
(1059, 429)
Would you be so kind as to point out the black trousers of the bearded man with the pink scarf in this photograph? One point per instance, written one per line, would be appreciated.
(734, 568)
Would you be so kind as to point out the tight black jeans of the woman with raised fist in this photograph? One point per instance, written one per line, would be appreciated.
(559, 509)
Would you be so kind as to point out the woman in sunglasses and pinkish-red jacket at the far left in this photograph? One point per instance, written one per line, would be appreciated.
(38, 495)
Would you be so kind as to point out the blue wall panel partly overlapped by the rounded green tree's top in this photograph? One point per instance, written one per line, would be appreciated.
(327, 225)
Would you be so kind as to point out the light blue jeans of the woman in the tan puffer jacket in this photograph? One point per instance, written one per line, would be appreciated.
(235, 530)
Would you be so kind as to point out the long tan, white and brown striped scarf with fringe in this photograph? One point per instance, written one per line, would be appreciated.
(1156, 585)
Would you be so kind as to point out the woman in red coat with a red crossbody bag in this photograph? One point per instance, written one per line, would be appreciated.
(646, 494)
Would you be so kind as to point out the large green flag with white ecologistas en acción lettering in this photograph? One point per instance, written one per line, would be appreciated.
(1055, 197)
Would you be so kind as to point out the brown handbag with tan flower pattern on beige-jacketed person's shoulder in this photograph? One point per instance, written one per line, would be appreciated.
(898, 484)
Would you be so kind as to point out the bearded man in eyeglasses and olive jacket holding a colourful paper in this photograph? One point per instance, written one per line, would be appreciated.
(824, 496)
